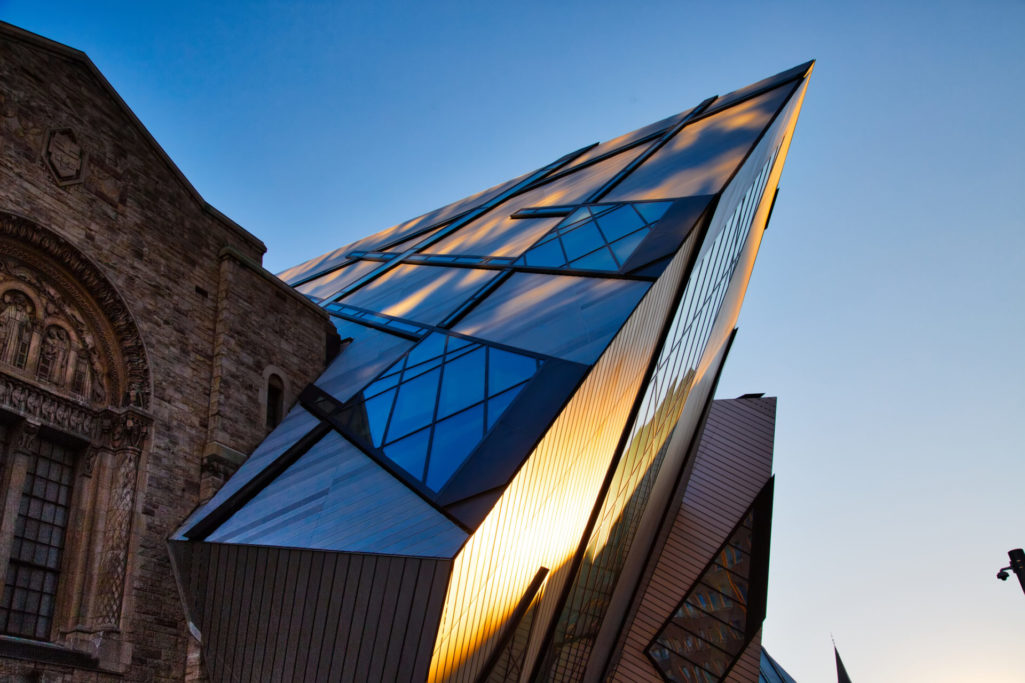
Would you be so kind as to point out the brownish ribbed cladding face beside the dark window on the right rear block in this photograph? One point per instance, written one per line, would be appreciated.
(734, 461)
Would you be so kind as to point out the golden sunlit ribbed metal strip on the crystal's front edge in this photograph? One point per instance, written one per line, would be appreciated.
(540, 519)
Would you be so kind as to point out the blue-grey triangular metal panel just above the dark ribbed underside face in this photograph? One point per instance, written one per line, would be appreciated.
(336, 498)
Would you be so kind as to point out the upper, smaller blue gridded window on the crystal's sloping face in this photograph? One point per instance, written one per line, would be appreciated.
(600, 237)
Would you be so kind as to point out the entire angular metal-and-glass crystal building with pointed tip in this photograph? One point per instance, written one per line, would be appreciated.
(514, 469)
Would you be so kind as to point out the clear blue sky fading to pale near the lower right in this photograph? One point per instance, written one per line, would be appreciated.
(886, 310)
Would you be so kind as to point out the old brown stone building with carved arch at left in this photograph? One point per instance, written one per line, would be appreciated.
(143, 351)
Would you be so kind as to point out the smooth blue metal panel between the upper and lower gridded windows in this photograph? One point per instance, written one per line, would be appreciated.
(573, 318)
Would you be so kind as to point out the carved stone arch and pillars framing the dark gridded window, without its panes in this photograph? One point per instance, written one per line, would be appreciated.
(73, 363)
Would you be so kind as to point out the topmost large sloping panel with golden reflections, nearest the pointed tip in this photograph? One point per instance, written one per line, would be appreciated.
(704, 155)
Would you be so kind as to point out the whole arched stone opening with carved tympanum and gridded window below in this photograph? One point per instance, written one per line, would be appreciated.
(75, 389)
